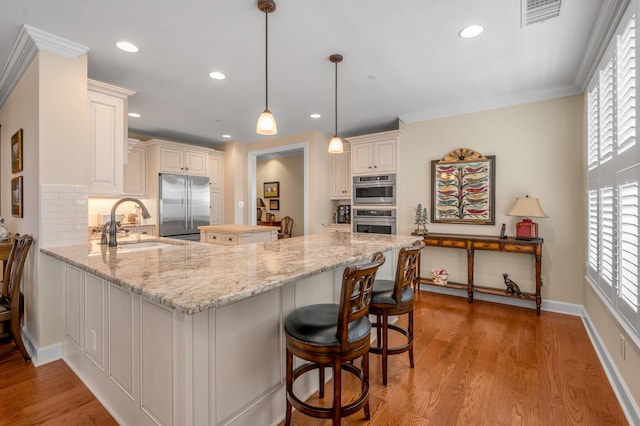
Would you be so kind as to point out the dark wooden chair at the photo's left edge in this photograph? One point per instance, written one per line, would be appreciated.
(11, 300)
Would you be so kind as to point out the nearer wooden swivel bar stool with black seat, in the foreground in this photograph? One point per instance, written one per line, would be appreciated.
(333, 335)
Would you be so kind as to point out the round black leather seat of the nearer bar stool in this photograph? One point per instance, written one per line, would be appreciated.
(318, 325)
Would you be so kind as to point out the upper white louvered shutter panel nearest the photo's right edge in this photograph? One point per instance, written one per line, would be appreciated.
(626, 88)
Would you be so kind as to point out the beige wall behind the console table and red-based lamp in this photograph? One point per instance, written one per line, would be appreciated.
(538, 153)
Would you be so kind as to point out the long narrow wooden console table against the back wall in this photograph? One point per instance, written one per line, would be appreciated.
(471, 243)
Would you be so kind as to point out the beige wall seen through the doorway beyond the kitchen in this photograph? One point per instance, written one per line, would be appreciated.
(288, 171)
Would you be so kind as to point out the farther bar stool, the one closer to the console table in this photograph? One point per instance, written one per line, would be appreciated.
(395, 298)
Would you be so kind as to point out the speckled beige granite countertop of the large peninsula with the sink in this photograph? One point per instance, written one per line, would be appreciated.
(193, 277)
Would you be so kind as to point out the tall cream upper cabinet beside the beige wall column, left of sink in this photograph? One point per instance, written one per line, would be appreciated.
(107, 137)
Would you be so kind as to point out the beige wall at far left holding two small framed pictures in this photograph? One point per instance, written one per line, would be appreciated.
(49, 104)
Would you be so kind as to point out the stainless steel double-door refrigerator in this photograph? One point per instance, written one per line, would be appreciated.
(183, 206)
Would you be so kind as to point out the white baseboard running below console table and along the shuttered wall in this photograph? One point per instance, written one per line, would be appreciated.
(627, 403)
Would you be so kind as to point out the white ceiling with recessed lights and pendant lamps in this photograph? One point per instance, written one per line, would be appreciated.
(402, 60)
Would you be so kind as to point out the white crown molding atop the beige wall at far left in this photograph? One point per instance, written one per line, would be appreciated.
(29, 41)
